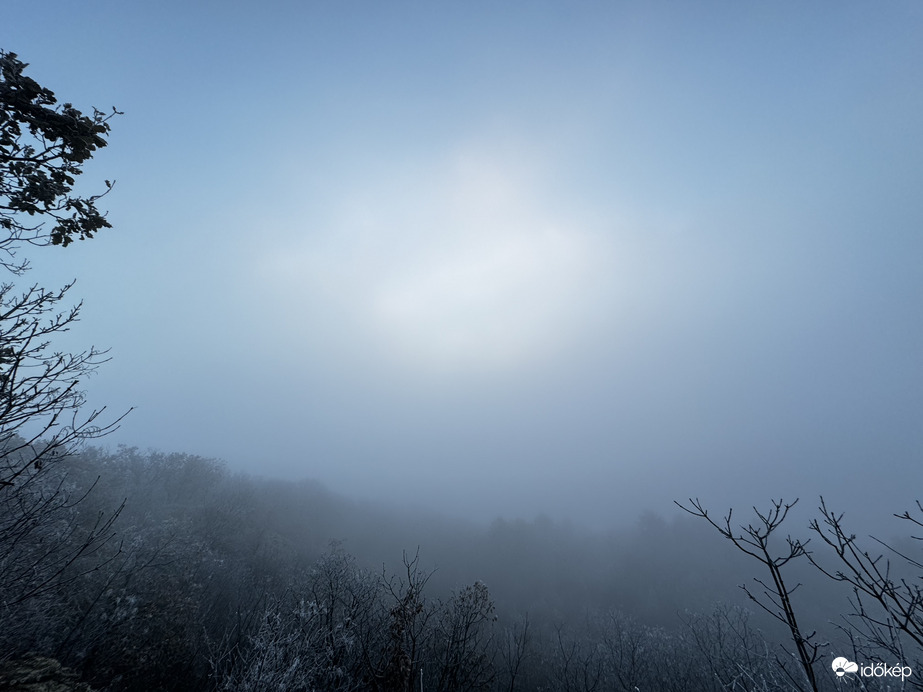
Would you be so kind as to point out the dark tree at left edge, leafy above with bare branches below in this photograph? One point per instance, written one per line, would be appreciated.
(43, 147)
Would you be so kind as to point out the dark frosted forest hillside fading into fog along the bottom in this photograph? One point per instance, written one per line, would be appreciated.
(168, 572)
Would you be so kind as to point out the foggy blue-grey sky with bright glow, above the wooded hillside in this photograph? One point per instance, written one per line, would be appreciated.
(504, 258)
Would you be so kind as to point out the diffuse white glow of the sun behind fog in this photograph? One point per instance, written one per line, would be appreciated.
(465, 268)
